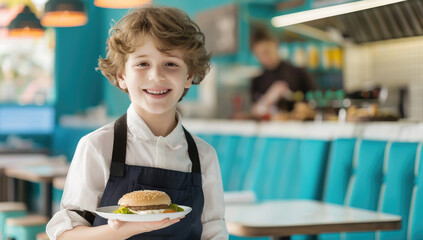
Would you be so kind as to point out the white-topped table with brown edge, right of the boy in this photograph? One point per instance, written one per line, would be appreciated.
(290, 217)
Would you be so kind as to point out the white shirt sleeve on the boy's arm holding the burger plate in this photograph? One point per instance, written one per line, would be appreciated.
(85, 182)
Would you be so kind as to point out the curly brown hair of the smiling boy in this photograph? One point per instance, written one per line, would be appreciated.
(170, 28)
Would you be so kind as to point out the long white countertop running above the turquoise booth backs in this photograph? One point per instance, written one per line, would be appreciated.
(387, 131)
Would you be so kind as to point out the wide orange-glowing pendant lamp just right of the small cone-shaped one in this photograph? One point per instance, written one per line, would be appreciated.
(64, 13)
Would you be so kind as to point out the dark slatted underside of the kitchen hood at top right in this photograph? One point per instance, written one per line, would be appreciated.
(393, 21)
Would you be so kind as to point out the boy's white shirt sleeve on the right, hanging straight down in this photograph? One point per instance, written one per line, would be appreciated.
(214, 225)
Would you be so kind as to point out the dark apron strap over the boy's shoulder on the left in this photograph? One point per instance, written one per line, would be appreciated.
(117, 168)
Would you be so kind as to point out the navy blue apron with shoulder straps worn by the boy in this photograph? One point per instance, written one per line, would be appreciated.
(182, 187)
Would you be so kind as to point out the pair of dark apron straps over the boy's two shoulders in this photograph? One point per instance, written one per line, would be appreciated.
(117, 167)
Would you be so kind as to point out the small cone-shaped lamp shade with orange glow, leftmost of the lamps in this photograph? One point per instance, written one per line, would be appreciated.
(25, 24)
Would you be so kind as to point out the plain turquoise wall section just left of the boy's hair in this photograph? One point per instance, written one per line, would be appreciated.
(78, 85)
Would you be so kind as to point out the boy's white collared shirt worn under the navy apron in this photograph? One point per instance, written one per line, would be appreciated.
(90, 168)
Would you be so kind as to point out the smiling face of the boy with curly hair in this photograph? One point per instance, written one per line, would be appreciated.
(154, 80)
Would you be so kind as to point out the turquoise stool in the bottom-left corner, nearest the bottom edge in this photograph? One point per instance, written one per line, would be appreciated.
(25, 228)
